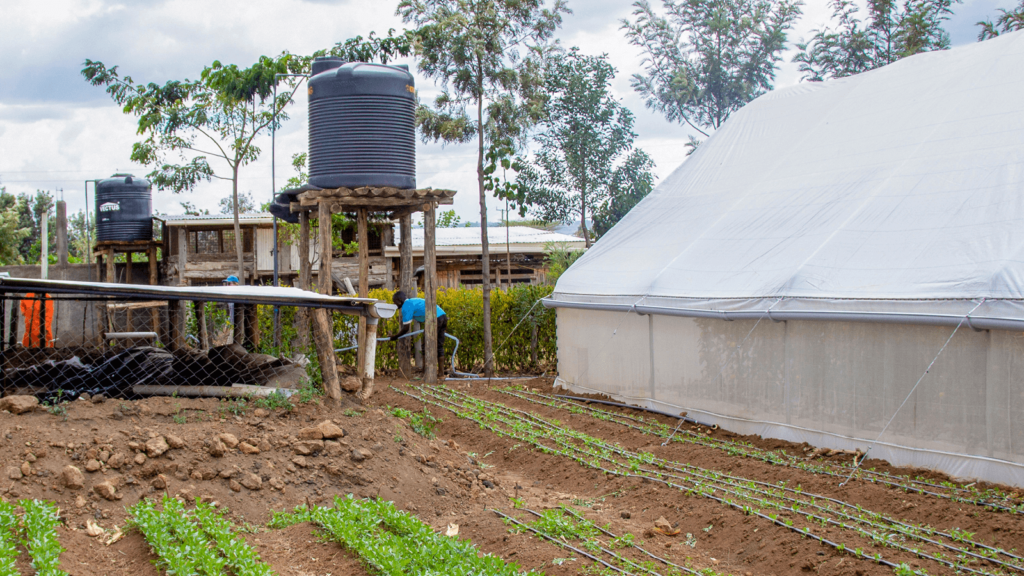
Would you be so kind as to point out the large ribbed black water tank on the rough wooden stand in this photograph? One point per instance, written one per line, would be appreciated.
(362, 126)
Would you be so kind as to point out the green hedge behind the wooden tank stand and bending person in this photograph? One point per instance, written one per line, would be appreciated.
(464, 308)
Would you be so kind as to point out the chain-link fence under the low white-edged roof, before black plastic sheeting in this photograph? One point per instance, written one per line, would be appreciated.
(58, 347)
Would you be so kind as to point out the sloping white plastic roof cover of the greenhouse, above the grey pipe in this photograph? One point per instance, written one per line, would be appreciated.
(898, 190)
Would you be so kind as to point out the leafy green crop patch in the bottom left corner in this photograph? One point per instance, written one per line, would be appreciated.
(36, 531)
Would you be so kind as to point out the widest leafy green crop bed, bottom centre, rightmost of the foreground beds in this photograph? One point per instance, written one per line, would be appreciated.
(393, 543)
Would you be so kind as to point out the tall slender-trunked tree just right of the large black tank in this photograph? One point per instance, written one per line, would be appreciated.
(485, 54)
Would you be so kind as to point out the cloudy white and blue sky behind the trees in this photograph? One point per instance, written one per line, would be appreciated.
(58, 132)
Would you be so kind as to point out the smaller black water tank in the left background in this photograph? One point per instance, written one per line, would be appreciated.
(124, 210)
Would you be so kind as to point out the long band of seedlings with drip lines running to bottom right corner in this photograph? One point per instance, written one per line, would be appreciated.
(777, 504)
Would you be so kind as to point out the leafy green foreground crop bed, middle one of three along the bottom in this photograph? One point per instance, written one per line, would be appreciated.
(199, 543)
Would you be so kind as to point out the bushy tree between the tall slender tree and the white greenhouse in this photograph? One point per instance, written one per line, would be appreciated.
(584, 136)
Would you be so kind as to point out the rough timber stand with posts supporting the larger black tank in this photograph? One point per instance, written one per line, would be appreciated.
(397, 204)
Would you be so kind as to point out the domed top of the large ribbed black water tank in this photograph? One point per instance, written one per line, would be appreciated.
(363, 78)
